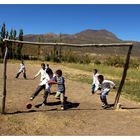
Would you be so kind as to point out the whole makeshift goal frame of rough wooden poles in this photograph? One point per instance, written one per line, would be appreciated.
(124, 74)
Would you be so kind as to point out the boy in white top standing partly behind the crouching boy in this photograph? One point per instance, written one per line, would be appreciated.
(95, 83)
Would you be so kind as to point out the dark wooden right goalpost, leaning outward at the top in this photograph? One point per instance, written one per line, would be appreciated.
(126, 66)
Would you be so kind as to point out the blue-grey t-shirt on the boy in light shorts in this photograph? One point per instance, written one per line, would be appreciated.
(61, 83)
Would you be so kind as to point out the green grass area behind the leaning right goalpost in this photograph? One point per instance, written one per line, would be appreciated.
(131, 87)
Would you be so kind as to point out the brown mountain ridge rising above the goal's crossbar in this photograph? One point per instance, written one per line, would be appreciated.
(86, 36)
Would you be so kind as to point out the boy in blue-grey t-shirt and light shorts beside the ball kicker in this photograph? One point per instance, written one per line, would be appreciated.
(60, 81)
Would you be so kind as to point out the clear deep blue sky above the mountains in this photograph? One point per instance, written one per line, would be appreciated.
(122, 20)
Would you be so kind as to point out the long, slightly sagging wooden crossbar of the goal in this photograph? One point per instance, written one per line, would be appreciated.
(71, 45)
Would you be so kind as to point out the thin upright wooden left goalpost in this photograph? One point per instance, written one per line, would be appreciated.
(4, 80)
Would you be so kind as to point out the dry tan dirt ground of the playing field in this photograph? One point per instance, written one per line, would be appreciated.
(83, 117)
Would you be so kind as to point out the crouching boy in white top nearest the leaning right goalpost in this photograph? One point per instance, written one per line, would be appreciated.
(104, 89)
